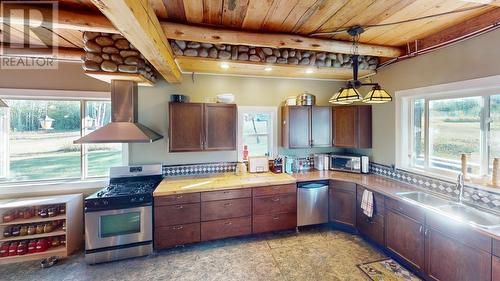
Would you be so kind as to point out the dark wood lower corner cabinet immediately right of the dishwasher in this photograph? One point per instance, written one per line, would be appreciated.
(342, 203)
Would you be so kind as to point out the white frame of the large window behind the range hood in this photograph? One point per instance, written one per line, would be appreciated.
(63, 95)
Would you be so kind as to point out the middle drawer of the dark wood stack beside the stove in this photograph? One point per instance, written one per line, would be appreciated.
(177, 214)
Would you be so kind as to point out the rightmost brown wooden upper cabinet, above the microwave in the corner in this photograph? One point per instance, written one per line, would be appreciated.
(352, 126)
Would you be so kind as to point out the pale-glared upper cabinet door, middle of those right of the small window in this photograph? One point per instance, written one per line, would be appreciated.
(321, 126)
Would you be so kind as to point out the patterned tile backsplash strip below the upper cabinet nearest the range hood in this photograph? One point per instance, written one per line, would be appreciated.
(198, 169)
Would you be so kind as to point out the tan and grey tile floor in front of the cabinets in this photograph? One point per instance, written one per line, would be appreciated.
(313, 254)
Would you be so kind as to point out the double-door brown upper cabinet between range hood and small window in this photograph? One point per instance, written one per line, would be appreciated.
(198, 126)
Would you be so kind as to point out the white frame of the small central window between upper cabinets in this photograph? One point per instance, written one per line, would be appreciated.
(273, 133)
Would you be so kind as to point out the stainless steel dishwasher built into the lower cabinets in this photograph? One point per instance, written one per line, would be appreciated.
(312, 202)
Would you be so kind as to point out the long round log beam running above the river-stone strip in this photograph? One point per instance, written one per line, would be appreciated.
(217, 35)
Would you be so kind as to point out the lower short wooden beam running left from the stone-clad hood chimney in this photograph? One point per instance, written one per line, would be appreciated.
(66, 54)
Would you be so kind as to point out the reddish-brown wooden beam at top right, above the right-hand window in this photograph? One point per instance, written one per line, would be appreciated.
(458, 32)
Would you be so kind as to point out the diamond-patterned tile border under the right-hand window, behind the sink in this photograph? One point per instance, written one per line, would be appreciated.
(473, 195)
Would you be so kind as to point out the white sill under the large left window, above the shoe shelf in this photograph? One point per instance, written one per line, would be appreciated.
(30, 189)
